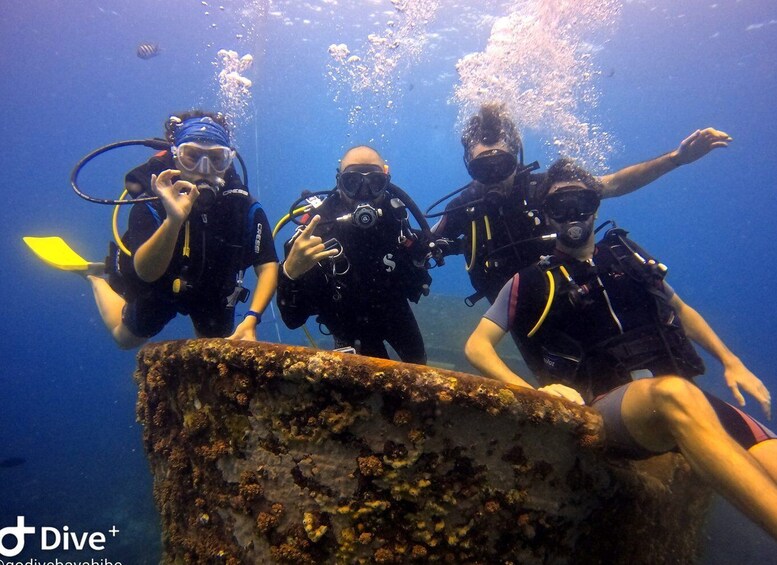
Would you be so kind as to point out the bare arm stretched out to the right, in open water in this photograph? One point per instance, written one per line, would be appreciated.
(693, 147)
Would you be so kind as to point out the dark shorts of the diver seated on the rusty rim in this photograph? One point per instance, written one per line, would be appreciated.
(744, 429)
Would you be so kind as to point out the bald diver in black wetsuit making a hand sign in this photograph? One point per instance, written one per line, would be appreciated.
(357, 262)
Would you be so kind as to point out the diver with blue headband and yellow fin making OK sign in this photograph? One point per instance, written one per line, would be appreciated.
(193, 230)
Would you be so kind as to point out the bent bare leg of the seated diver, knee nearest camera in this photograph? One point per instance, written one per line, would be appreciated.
(663, 412)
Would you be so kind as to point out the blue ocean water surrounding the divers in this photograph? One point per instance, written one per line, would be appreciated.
(71, 81)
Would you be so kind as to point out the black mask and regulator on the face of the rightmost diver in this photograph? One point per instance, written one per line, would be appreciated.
(573, 209)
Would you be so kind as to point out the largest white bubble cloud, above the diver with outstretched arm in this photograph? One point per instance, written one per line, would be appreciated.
(538, 62)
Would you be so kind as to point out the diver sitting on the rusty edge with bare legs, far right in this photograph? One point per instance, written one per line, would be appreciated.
(598, 324)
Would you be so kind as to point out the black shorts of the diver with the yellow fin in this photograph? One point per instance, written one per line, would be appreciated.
(147, 315)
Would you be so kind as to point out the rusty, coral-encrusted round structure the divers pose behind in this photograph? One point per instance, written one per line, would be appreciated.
(267, 453)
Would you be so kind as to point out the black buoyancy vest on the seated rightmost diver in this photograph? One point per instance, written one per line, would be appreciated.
(599, 324)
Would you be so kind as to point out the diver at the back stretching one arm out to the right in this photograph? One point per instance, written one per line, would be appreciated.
(496, 220)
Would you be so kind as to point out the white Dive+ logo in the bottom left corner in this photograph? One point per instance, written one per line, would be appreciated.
(50, 538)
